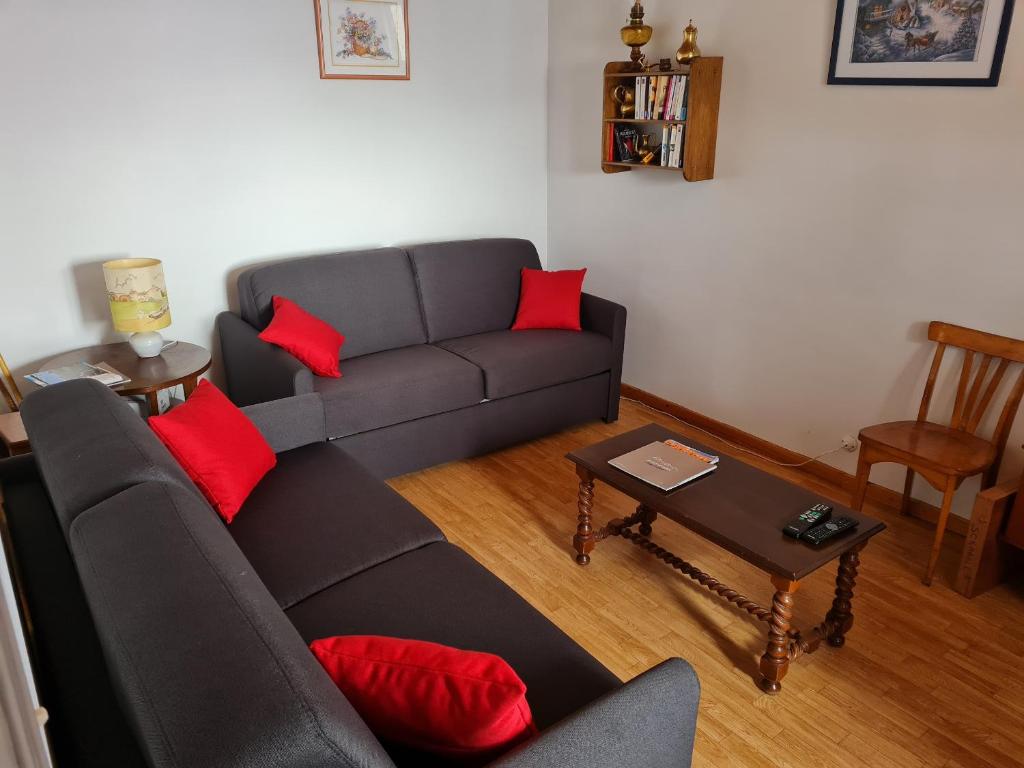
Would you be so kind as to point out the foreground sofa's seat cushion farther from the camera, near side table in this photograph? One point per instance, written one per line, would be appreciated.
(320, 518)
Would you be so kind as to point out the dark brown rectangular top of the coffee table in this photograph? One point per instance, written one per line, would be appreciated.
(739, 507)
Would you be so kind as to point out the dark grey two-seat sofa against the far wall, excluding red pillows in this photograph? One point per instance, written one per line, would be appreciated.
(431, 371)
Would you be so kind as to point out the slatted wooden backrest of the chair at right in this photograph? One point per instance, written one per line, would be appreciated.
(978, 385)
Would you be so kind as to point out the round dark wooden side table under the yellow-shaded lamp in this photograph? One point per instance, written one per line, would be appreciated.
(182, 364)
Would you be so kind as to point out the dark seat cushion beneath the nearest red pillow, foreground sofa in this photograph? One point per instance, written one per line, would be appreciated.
(442, 595)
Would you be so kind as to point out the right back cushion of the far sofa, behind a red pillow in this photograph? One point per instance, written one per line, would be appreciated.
(471, 287)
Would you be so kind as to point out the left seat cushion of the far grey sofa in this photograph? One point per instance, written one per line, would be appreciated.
(396, 387)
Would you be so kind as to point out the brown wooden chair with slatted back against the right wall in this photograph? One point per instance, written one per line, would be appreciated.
(946, 456)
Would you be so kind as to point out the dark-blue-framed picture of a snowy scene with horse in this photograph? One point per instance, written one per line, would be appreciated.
(920, 42)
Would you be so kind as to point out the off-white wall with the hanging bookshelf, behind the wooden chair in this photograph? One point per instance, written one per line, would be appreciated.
(789, 296)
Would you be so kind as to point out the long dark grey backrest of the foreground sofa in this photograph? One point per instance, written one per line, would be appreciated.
(208, 669)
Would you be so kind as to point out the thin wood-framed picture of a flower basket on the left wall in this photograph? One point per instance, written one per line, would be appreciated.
(363, 39)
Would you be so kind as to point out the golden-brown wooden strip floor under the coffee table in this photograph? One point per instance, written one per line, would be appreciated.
(927, 678)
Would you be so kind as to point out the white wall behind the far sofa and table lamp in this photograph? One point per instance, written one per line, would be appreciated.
(200, 134)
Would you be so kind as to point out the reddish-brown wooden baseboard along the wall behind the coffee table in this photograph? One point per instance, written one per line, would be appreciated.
(843, 482)
